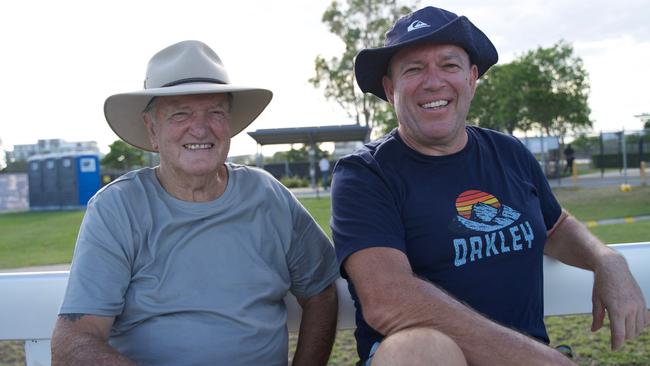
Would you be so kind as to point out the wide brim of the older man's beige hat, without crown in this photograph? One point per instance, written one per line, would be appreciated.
(124, 111)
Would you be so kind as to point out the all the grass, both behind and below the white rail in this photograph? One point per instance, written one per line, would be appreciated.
(48, 238)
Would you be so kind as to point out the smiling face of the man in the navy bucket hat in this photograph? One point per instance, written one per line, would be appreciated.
(431, 87)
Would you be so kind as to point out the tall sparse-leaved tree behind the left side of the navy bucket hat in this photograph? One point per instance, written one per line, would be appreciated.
(359, 24)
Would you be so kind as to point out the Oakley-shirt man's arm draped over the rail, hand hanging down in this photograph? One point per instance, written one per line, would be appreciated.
(615, 290)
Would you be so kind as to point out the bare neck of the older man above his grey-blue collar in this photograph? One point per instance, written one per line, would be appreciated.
(201, 188)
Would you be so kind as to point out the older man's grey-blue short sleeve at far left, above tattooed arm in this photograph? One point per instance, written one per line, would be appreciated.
(101, 270)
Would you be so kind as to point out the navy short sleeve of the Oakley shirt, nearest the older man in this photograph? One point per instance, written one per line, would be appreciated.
(365, 211)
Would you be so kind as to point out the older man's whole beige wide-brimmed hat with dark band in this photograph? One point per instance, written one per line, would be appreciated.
(184, 68)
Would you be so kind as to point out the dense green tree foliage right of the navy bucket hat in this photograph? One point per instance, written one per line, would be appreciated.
(546, 89)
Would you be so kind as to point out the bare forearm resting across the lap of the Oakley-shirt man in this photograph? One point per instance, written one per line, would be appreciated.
(393, 298)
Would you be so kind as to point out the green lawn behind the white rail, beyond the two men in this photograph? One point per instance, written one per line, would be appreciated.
(39, 238)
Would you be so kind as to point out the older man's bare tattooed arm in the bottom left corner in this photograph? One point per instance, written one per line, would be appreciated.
(81, 339)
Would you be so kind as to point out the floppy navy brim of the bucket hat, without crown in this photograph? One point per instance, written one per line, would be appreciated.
(371, 64)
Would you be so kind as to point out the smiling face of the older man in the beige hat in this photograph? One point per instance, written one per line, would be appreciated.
(191, 133)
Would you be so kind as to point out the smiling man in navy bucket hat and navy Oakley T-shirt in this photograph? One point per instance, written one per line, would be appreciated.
(441, 227)
